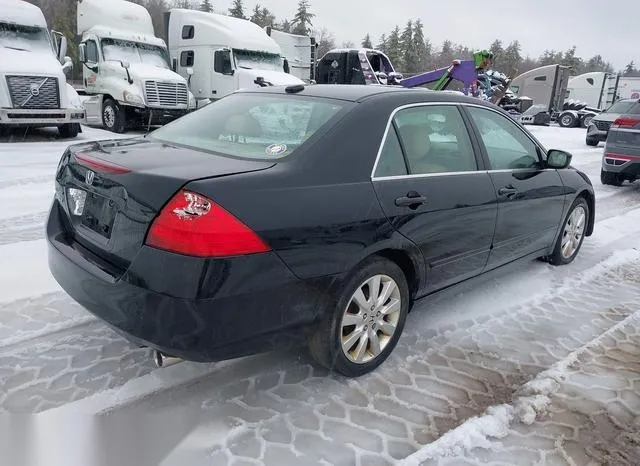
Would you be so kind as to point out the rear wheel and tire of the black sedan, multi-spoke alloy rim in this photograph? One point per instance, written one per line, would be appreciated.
(355, 339)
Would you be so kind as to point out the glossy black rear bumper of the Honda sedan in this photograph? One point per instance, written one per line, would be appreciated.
(196, 309)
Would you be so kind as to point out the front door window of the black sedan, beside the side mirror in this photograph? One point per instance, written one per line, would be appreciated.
(507, 146)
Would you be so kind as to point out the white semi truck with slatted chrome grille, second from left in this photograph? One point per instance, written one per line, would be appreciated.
(126, 68)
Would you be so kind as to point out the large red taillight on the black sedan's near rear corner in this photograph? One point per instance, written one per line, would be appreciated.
(193, 225)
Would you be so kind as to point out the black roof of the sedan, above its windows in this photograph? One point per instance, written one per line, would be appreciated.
(360, 92)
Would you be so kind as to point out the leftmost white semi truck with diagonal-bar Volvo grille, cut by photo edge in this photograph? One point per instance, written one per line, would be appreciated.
(33, 88)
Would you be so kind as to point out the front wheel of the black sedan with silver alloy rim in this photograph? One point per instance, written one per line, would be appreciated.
(573, 231)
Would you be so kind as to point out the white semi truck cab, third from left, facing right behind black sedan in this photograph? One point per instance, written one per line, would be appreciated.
(220, 54)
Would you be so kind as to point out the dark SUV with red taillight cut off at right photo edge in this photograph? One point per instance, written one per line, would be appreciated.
(621, 159)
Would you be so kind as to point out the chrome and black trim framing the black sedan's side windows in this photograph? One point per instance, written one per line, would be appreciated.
(470, 125)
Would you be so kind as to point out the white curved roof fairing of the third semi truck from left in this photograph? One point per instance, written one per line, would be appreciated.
(226, 31)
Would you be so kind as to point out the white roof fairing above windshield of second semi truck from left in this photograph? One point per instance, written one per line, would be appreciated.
(118, 15)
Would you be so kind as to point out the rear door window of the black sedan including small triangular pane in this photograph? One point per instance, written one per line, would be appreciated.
(434, 139)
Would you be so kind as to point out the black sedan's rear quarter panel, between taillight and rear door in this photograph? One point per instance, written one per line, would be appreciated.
(318, 209)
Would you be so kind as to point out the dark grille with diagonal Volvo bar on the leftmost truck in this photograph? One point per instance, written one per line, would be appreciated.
(34, 92)
